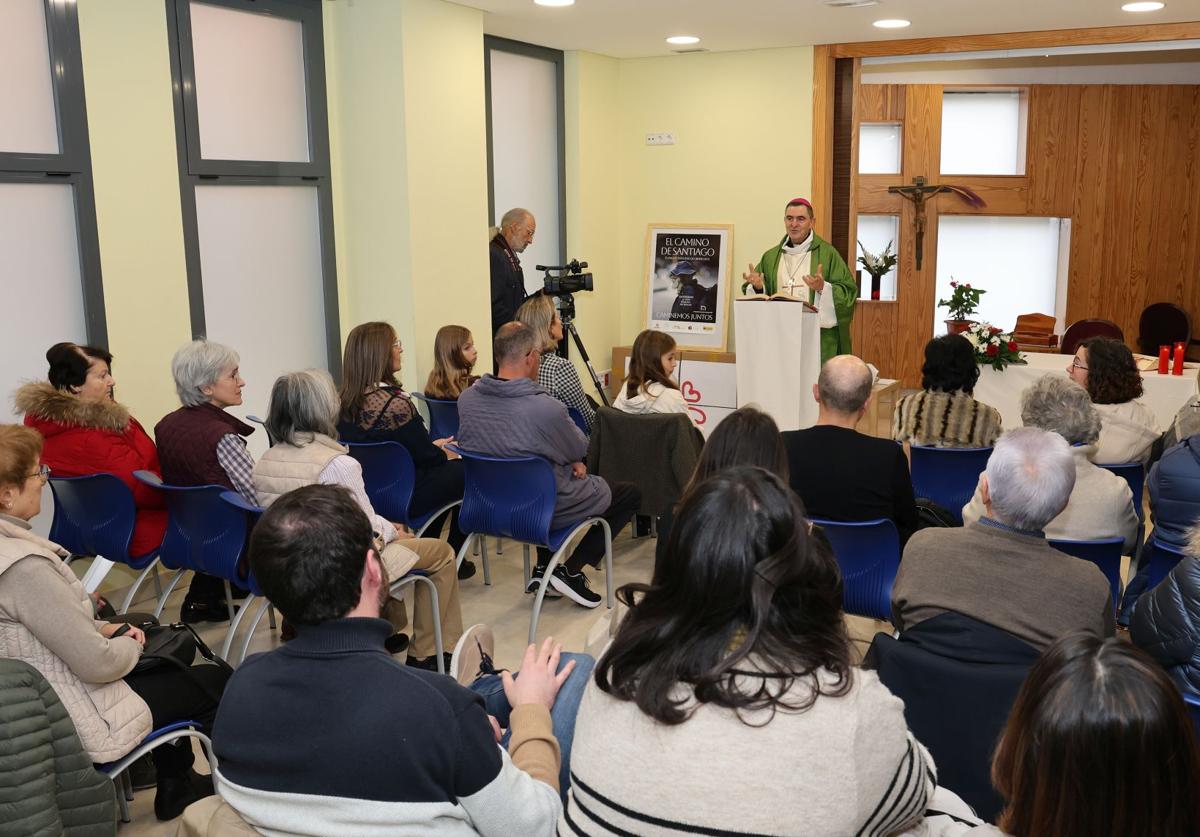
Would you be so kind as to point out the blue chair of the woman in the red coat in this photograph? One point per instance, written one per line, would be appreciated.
(95, 516)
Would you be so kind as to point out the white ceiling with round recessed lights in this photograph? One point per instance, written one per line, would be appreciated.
(638, 28)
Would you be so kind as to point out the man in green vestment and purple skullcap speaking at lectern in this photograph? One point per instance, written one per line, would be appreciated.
(803, 261)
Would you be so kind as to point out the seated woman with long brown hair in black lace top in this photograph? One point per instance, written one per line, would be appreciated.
(376, 408)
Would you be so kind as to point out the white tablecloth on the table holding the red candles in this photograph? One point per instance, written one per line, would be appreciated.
(1162, 394)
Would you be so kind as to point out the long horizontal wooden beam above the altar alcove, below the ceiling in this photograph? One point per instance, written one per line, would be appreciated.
(1054, 38)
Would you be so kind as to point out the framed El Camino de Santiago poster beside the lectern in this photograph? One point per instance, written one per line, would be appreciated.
(688, 276)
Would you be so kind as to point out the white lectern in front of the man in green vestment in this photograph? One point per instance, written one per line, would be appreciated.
(779, 359)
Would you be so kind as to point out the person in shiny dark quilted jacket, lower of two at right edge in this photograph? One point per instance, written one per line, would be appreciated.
(1167, 621)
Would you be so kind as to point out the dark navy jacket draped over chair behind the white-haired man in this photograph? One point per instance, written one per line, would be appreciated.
(958, 679)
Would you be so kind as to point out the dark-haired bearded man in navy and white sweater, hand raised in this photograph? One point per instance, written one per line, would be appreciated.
(328, 734)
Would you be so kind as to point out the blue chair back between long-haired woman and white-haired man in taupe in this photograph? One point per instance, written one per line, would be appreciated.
(869, 557)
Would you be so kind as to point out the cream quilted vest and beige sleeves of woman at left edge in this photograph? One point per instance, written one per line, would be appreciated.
(110, 718)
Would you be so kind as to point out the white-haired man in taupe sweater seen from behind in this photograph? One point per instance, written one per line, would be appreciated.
(999, 569)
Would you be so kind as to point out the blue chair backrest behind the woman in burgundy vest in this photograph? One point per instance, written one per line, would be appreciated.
(205, 532)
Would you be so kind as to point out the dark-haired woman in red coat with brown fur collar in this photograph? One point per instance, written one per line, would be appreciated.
(87, 432)
